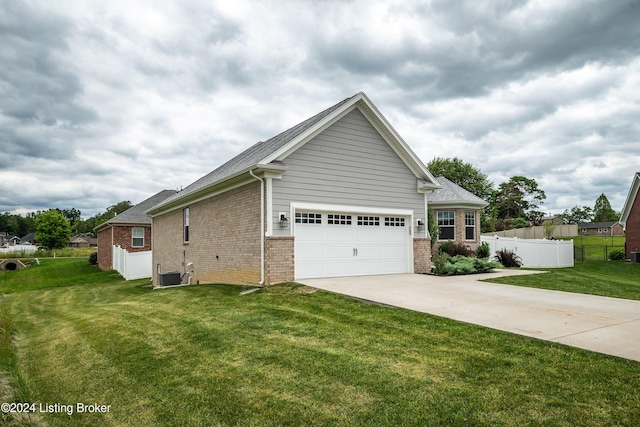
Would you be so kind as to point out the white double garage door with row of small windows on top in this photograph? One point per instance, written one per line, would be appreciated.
(338, 244)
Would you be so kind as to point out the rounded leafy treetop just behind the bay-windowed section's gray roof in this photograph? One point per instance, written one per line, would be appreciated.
(464, 174)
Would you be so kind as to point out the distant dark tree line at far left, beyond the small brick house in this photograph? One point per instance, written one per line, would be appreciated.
(21, 225)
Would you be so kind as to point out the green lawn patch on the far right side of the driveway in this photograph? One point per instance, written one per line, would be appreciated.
(617, 279)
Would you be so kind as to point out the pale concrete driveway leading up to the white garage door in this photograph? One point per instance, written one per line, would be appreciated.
(601, 324)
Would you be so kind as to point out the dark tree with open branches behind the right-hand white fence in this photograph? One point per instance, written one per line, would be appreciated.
(517, 198)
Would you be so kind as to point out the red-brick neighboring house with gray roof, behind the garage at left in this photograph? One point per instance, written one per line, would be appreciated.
(131, 230)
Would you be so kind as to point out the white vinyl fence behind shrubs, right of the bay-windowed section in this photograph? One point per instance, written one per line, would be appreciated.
(539, 253)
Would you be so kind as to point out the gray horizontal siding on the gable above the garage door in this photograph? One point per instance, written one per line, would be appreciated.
(347, 164)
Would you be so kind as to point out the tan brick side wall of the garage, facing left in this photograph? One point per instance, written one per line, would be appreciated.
(224, 239)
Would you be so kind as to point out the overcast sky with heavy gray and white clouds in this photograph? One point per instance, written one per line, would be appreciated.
(104, 101)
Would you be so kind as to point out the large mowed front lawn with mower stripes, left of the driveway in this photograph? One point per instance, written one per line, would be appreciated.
(286, 355)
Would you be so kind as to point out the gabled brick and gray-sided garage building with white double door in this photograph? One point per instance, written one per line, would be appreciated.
(339, 194)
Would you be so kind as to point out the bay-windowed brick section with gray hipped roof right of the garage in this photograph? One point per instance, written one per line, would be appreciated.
(457, 212)
